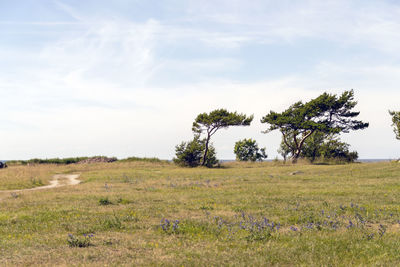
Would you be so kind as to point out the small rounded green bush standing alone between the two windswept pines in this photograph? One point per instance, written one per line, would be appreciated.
(247, 150)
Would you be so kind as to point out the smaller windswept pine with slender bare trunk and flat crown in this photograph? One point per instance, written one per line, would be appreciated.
(210, 123)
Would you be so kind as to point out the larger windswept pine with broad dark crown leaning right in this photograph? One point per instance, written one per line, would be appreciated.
(327, 113)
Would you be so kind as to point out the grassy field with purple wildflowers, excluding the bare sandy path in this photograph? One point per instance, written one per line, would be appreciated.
(143, 213)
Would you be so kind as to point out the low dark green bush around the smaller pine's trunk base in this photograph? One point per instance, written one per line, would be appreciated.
(190, 154)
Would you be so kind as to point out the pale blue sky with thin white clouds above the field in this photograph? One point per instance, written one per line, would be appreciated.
(128, 77)
